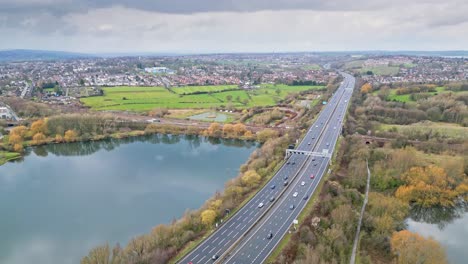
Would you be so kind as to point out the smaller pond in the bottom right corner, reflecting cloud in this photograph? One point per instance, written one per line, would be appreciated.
(449, 226)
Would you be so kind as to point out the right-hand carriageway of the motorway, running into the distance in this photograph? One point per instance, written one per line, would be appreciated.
(263, 238)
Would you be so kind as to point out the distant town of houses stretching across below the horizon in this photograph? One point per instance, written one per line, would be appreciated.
(63, 81)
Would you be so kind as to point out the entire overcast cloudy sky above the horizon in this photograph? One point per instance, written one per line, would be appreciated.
(97, 26)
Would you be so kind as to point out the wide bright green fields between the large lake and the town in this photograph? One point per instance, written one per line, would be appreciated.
(147, 98)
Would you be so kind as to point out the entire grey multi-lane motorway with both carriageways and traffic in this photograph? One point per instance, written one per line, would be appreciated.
(245, 233)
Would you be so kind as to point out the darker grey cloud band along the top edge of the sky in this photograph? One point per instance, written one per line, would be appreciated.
(61, 7)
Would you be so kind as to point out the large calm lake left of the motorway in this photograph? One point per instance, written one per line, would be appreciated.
(61, 200)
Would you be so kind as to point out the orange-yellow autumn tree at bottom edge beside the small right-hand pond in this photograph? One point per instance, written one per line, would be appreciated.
(412, 248)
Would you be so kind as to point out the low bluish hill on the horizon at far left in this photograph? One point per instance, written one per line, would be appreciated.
(30, 55)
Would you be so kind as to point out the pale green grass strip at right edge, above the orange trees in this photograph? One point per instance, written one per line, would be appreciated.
(444, 129)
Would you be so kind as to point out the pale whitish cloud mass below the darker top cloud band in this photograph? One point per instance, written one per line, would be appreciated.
(423, 25)
